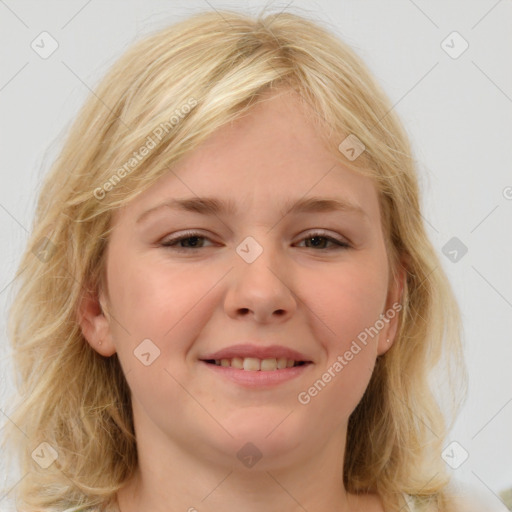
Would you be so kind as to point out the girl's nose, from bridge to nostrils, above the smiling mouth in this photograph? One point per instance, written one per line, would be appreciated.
(261, 289)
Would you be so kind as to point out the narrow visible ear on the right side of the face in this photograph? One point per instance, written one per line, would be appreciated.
(391, 314)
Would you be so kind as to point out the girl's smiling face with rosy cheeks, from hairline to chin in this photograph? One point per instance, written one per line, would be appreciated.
(257, 279)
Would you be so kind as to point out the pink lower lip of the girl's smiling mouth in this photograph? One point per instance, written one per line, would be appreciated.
(258, 378)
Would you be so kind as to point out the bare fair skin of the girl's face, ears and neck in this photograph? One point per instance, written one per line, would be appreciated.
(190, 423)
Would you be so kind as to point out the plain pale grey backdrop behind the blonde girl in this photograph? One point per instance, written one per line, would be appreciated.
(457, 111)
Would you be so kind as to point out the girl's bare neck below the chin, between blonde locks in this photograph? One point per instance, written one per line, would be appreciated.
(171, 477)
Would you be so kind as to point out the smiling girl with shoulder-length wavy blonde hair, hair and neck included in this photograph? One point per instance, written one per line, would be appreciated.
(229, 300)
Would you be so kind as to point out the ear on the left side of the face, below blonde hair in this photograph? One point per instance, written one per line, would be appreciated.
(94, 323)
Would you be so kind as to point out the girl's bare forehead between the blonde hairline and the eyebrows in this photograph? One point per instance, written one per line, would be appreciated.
(271, 157)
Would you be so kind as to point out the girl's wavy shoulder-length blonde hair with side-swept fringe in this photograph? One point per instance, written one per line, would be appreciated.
(219, 64)
